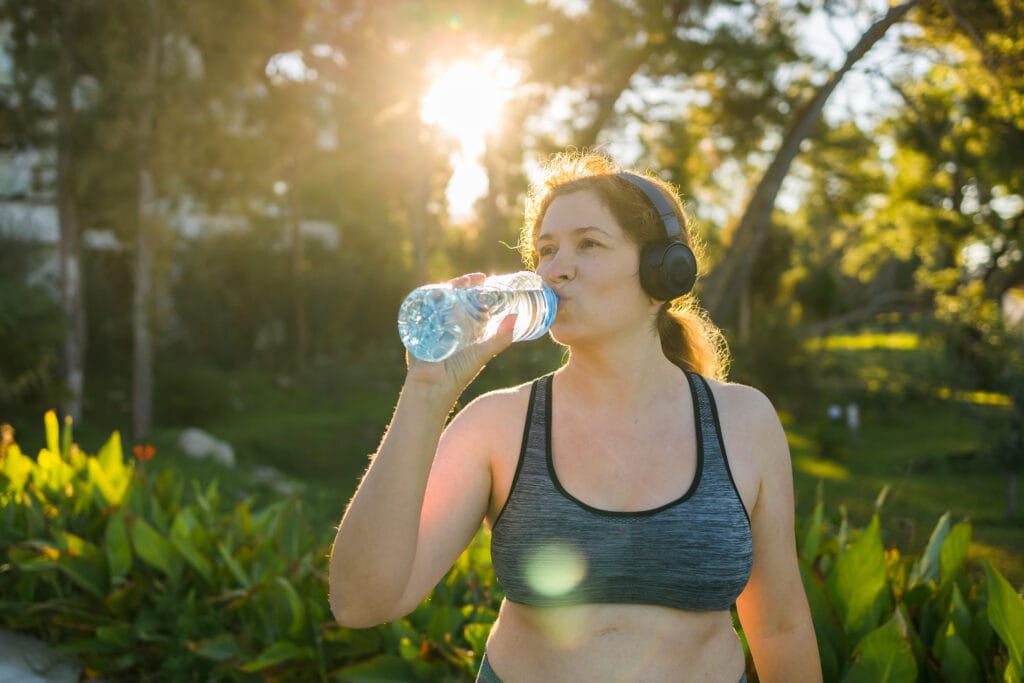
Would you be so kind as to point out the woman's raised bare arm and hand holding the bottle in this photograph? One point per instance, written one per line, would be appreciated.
(379, 560)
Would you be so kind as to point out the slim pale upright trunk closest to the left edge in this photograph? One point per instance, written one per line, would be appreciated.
(72, 282)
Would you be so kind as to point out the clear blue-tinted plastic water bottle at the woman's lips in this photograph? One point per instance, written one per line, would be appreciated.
(437, 321)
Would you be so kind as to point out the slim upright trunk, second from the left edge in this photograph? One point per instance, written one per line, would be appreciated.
(146, 246)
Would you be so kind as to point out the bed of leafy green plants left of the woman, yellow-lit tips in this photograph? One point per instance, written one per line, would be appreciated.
(161, 579)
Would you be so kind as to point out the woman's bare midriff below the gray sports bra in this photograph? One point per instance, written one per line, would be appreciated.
(614, 643)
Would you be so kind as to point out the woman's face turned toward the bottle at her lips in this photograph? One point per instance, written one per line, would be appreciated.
(584, 255)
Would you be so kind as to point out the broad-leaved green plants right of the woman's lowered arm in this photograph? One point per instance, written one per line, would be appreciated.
(883, 617)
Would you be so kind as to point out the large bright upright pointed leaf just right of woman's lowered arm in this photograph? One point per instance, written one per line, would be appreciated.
(859, 585)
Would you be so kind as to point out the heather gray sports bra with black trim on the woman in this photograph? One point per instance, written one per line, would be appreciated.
(550, 549)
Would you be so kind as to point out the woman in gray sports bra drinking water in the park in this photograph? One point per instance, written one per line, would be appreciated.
(633, 495)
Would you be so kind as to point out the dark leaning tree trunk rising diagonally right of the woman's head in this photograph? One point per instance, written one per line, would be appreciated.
(722, 289)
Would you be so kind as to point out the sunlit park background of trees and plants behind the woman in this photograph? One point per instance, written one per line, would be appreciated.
(210, 214)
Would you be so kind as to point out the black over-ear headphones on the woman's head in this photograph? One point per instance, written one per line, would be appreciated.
(668, 268)
